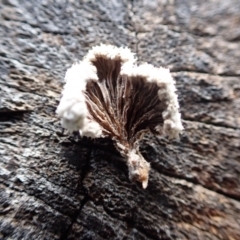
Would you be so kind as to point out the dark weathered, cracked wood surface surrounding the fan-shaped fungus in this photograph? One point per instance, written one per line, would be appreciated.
(57, 186)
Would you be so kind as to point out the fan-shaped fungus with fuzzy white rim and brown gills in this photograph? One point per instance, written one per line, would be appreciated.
(108, 95)
